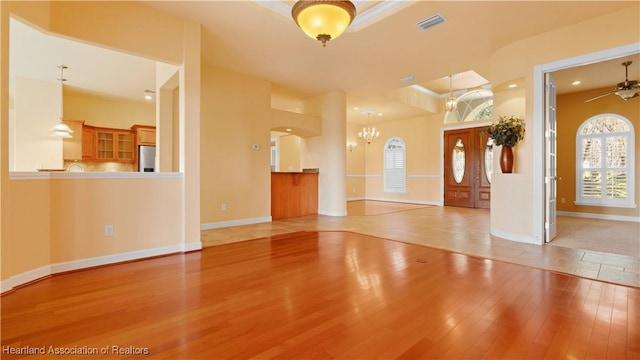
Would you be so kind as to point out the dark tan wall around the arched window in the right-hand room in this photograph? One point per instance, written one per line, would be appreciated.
(572, 112)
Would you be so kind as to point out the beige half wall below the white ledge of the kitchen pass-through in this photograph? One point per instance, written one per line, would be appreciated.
(62, 220)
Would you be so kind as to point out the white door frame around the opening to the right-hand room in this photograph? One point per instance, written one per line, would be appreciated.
(539, 122)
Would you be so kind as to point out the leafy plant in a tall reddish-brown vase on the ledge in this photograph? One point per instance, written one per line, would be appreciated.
(506, 132)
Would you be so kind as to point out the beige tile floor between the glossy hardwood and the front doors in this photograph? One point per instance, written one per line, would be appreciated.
(458, 230)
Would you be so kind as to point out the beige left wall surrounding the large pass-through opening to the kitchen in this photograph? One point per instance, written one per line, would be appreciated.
(56, 222)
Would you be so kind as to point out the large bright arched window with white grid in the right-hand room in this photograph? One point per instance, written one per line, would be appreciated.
(604, 162)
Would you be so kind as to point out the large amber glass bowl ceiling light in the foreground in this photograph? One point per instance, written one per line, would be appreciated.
(323, 19)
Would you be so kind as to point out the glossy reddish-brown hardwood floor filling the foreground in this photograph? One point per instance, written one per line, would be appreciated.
(324, 295)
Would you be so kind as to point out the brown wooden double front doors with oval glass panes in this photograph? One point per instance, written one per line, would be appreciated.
(468, 164)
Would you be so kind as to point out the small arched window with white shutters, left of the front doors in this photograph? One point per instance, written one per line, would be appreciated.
(395, 166)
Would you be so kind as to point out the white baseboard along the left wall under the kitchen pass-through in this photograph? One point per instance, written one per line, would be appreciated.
(44, 271)
